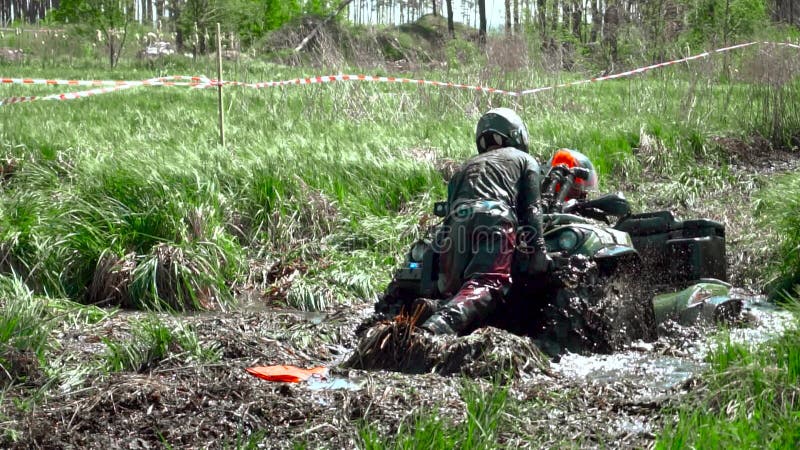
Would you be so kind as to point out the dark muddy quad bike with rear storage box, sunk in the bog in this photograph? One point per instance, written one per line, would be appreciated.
(612, 281)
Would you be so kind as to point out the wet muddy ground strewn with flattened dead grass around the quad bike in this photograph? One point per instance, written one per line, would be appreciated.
(613, 401)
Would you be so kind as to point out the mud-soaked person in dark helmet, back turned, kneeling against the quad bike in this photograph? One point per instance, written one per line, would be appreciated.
(486, 197)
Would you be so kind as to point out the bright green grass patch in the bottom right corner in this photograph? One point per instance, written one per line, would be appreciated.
(749, 399)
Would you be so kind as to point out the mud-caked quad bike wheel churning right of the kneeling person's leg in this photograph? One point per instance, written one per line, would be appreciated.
(600, 315)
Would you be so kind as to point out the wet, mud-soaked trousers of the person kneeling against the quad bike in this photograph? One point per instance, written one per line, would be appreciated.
(479, 260)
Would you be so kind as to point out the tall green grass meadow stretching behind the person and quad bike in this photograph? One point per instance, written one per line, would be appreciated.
(127, 199)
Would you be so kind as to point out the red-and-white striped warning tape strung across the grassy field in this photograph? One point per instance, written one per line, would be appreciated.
(203, 82)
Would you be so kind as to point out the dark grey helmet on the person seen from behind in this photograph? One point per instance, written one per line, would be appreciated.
(501, 127)
